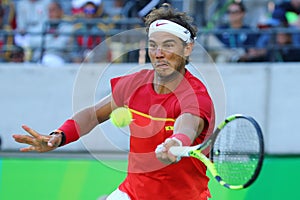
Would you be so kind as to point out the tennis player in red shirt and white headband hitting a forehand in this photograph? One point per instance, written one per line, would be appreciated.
(170, 107)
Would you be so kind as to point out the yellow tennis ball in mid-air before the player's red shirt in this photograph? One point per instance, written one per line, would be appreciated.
(121, 117)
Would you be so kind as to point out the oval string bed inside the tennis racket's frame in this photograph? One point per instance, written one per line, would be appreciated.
(235, 152)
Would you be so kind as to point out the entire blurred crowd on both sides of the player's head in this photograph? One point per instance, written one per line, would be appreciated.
(54, 32)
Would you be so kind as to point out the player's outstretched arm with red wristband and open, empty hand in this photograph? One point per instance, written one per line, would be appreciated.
(80, 124)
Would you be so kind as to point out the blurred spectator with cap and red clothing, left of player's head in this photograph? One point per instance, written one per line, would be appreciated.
(89, 33)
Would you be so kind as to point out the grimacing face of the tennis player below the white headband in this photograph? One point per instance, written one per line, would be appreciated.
(167, 53)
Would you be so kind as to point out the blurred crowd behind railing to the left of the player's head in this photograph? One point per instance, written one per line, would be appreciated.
(54, 32)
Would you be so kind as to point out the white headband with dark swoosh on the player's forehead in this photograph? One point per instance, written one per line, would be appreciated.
(170, 27)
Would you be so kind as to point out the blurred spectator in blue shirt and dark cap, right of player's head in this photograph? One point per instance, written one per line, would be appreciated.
(241, 44)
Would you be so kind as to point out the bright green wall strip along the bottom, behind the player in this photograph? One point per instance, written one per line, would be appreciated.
(88, 179)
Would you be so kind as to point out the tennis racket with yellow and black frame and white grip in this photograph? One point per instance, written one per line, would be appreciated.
(236, 152)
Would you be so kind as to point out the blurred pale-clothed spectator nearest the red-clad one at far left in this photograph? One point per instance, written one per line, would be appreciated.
(31, 16)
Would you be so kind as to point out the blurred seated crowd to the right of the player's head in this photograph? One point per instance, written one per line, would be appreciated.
(274, 39)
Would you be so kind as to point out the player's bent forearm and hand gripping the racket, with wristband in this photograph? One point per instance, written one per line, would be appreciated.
(187, 128)
